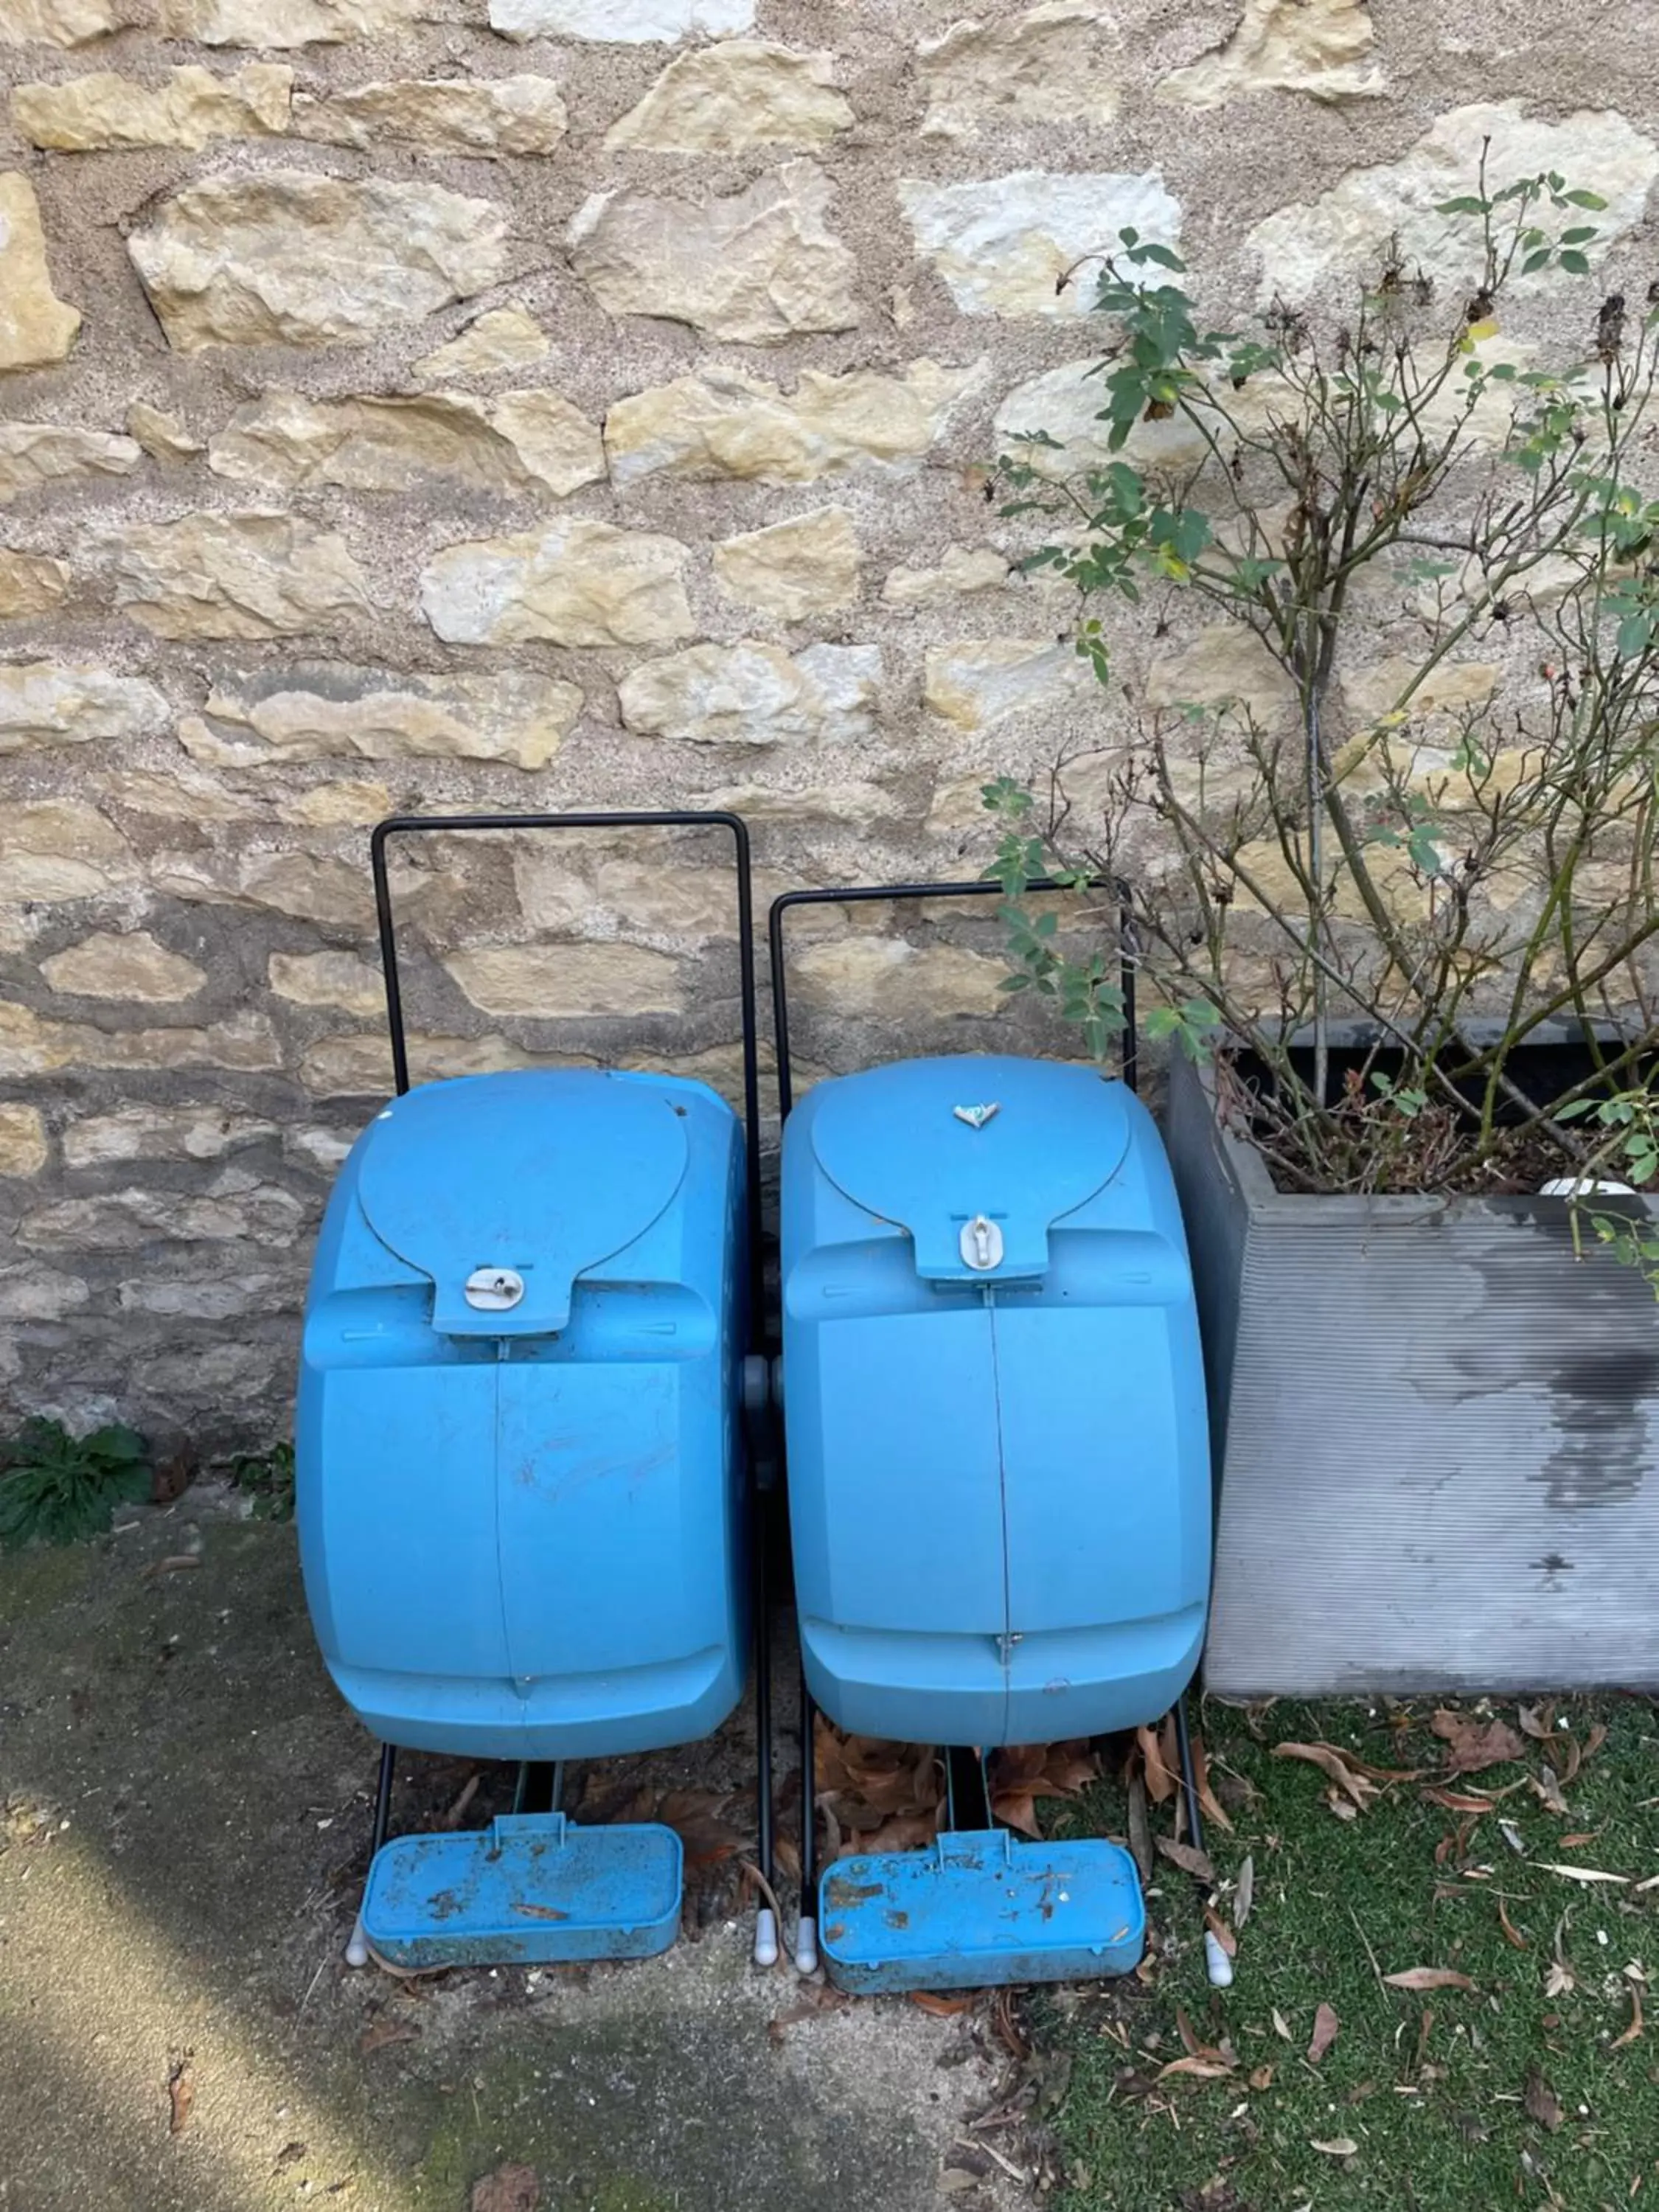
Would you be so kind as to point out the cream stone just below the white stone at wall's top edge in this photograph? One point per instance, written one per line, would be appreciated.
(733, 98)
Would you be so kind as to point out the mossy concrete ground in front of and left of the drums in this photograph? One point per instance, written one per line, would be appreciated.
(187, 1815)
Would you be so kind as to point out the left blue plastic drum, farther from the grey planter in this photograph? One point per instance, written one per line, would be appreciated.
(523, 1530)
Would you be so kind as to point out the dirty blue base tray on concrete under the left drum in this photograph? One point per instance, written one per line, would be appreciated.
(530, 1890)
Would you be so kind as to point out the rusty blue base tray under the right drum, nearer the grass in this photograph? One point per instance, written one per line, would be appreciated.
(981, 1910)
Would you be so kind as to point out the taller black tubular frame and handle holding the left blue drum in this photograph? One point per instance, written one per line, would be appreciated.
(625, 820)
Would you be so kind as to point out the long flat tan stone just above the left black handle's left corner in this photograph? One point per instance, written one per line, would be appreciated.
(322, 711)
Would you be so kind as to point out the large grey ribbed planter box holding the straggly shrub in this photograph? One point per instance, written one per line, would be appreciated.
(1437, 1437)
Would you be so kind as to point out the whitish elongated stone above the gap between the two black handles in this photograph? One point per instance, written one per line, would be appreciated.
(755, 696)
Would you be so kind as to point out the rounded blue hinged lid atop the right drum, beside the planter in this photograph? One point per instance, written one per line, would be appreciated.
(946, 1145)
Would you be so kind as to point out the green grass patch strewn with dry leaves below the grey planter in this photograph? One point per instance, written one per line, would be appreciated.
(1525, 2089)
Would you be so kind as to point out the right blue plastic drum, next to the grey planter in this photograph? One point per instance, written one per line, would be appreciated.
(999, 1481)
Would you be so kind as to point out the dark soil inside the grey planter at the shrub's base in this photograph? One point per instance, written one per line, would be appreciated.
(1370, 1147)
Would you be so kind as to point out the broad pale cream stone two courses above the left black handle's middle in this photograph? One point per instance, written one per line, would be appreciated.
(574, 583)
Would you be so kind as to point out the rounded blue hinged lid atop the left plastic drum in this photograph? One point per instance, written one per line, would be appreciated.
(505, 1189)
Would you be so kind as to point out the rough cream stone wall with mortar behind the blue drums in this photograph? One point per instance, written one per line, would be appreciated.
(536, 404)
